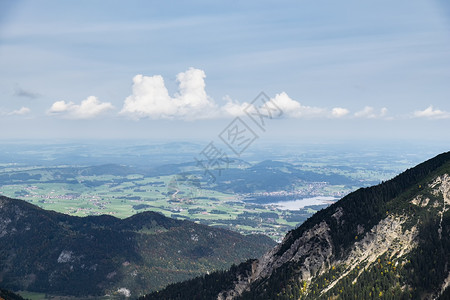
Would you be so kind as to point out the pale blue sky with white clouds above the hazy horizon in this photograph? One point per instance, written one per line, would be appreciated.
(186, 69)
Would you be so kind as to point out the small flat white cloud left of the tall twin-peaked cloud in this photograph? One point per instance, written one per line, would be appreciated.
(89, 108)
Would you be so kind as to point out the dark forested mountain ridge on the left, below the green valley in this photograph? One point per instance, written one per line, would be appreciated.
(49, 252)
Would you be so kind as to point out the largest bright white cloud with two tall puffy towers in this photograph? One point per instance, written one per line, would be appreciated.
(150, 98)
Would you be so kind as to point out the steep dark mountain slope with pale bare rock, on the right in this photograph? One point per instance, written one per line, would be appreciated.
(390, 241)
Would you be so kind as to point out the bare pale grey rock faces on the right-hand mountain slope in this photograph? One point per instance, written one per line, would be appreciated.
(313, 252)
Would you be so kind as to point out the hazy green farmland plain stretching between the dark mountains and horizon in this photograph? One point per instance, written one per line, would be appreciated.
(242, 196)
